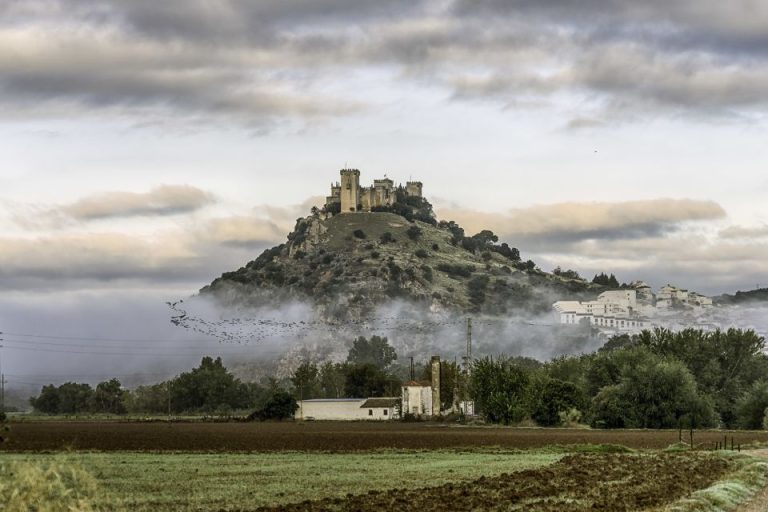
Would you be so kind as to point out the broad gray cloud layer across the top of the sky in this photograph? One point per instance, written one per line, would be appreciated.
(263, 63)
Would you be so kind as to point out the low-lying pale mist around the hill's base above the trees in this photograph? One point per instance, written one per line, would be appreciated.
(144, 337)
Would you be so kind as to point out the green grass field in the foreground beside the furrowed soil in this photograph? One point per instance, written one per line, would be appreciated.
(183, 481)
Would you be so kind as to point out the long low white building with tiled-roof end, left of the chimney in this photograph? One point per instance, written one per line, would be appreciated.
(345, 409)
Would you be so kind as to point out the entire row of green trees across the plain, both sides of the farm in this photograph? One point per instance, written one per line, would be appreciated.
(656, 379)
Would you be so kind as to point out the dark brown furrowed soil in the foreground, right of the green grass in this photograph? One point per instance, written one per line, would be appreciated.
(606, 482)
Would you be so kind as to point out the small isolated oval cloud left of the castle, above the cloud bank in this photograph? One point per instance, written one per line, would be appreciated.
(160, 201)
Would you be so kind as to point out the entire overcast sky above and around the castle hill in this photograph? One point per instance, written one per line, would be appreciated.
(150, 145)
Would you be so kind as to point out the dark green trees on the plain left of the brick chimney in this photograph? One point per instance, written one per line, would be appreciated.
(212, 389)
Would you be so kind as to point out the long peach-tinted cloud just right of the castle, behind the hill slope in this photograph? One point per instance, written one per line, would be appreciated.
(561, 222)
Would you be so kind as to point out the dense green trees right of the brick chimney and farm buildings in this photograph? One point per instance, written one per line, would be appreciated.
(656, 379)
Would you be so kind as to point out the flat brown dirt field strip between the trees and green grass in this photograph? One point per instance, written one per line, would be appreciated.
(324, 436)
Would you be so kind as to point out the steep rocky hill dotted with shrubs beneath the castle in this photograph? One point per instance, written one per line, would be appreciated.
(348, 264)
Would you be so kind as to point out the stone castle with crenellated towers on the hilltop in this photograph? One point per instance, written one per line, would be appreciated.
(354, 198)
